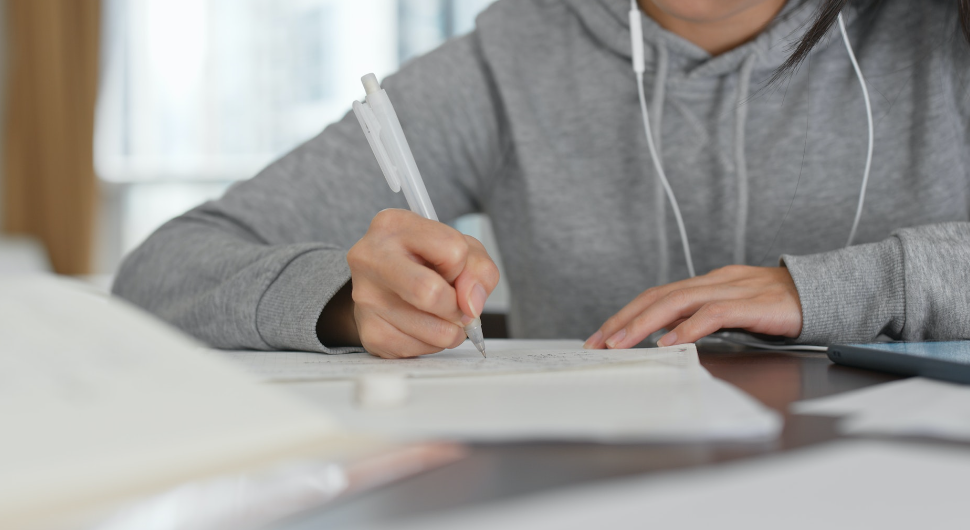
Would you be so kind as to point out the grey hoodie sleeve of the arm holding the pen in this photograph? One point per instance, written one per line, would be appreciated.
(254, 269)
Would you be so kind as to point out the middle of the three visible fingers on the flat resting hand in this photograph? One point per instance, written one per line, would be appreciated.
(678, 304)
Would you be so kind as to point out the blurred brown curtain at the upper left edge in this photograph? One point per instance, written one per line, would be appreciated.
(49, 188)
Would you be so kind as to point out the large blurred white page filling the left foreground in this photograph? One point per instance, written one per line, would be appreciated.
(98, 400)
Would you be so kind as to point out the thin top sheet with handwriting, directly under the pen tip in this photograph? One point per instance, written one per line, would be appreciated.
(504, 357)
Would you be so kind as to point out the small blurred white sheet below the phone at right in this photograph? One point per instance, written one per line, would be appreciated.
(909, 407)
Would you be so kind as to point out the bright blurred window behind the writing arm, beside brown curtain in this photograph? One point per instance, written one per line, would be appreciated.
(199, 93)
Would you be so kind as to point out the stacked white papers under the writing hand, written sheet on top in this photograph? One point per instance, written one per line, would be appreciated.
(531, 390)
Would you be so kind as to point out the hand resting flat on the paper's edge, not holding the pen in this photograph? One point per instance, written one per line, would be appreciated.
(756, 299)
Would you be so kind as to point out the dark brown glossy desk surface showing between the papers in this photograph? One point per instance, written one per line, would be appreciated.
(494, 472)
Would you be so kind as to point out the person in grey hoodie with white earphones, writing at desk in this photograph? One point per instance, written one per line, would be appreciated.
(533, 118)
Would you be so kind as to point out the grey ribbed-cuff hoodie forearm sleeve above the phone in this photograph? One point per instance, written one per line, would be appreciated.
(913, 286)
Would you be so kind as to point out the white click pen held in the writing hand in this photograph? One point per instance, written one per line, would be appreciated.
(386, 138)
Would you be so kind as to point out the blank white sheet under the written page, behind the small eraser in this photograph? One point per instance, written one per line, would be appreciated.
(641, 402)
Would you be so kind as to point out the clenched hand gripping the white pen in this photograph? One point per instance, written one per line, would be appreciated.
(415, 282)
